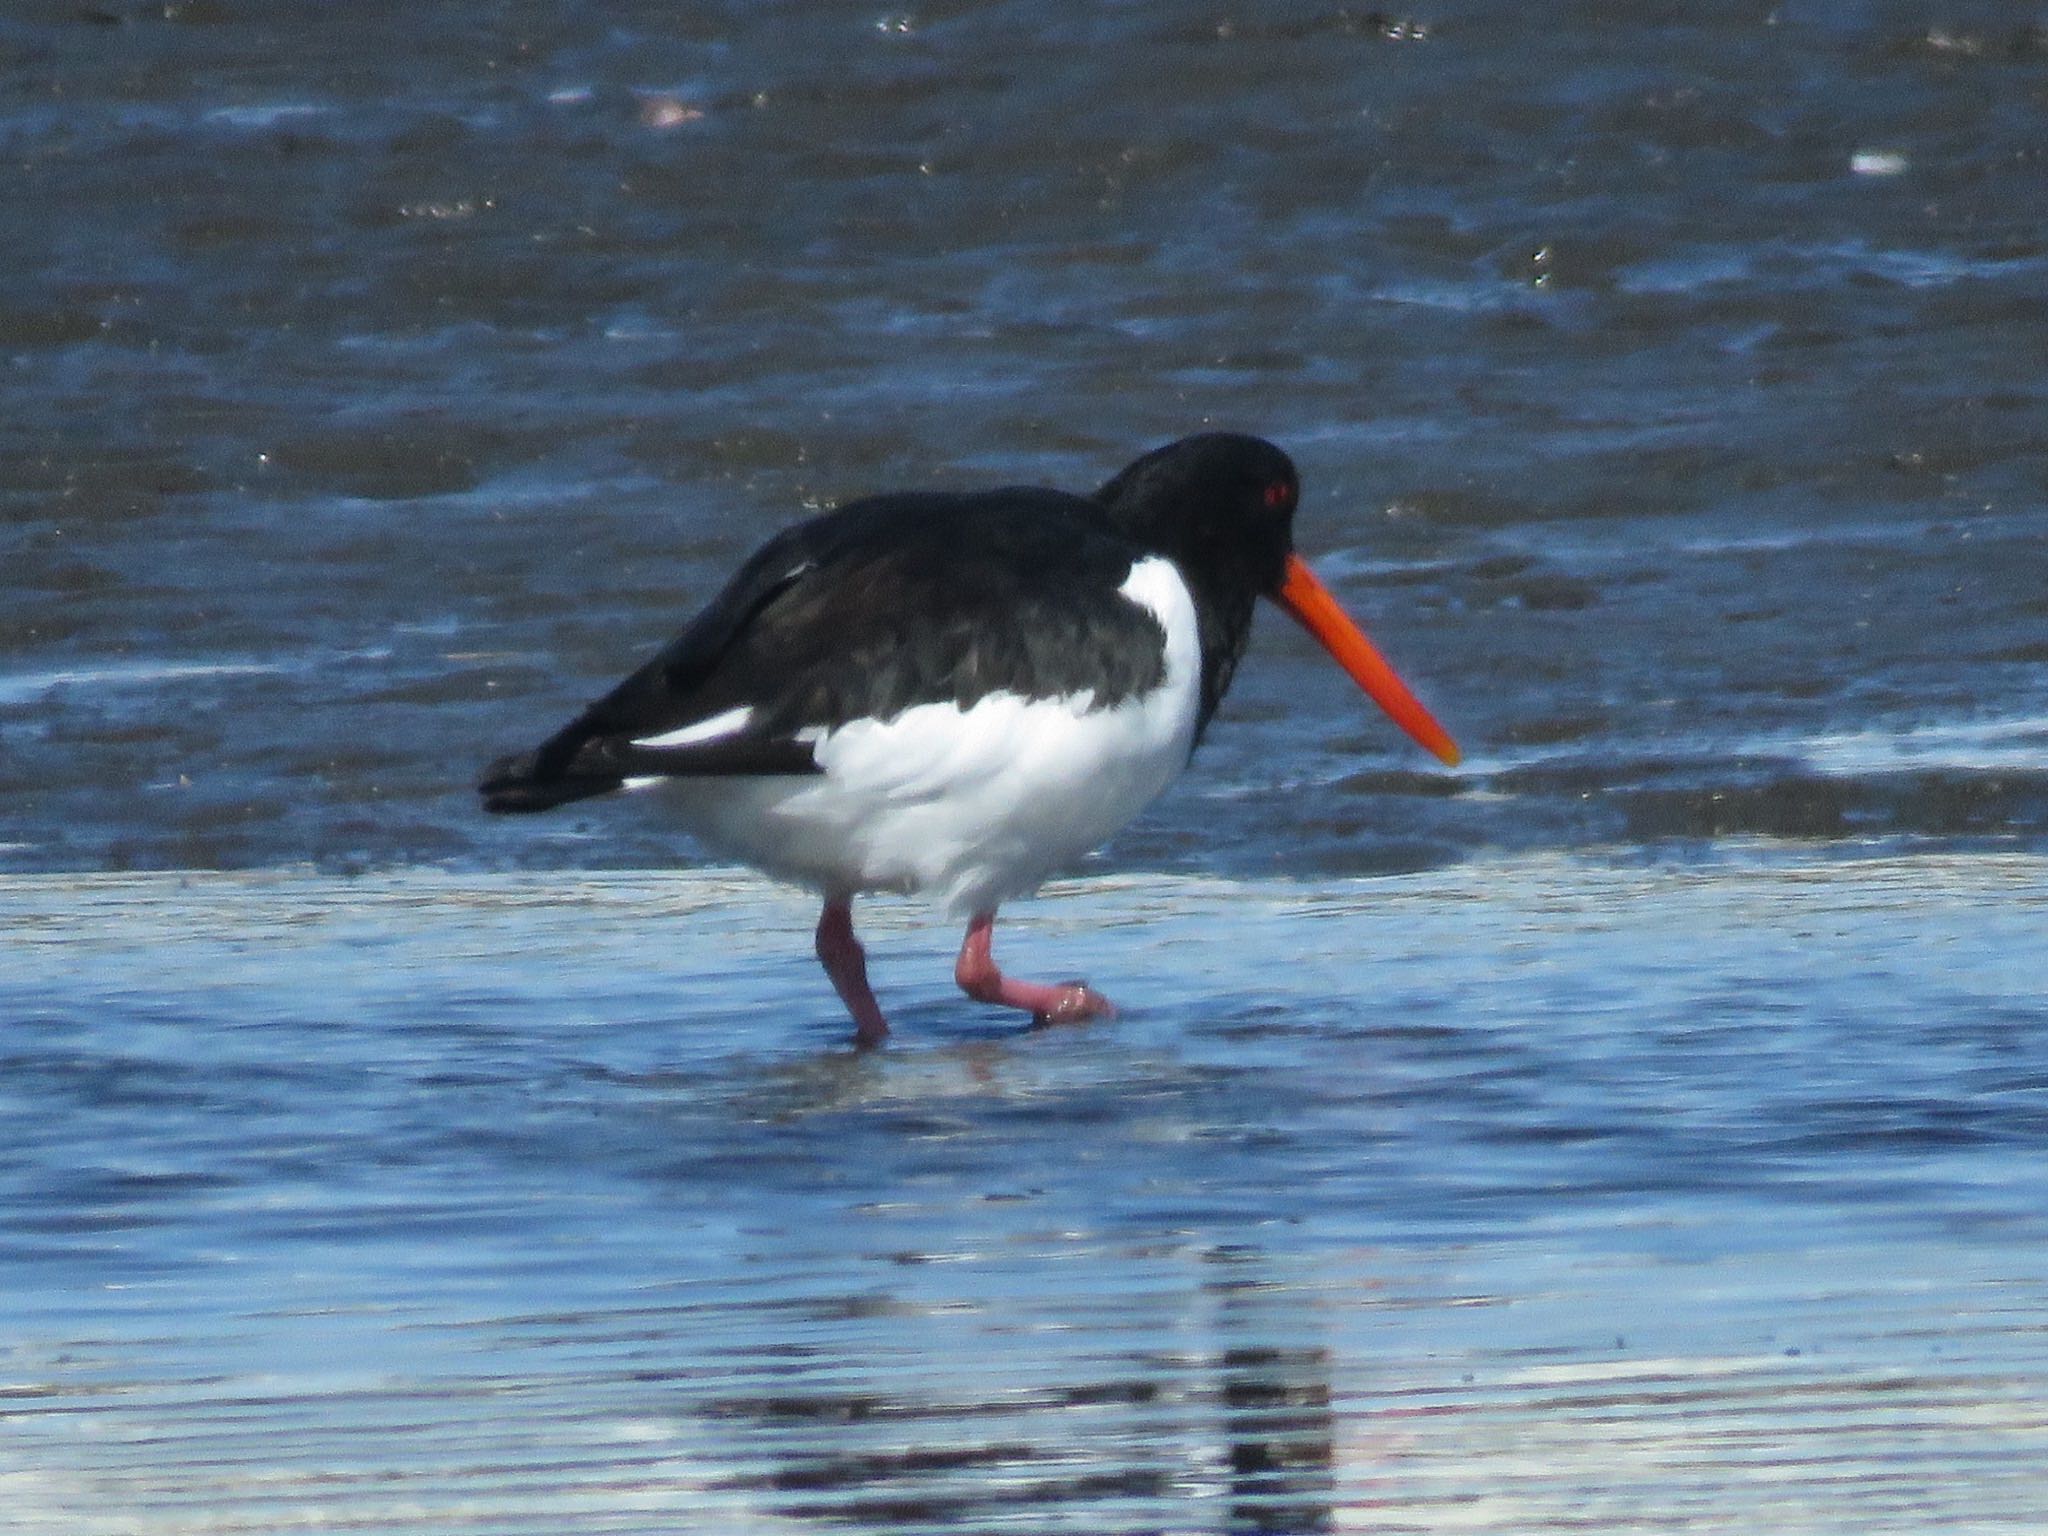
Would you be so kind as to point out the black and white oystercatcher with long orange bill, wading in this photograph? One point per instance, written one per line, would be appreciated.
(957, 695)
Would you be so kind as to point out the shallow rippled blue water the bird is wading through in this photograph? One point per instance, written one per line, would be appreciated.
(1523, 1197)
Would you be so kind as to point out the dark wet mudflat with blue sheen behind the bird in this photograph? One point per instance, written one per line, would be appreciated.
(384, 380)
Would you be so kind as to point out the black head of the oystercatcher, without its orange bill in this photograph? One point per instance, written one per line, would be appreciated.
(1218, 505)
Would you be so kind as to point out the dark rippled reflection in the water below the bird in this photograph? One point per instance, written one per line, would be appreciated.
(1236, 1437)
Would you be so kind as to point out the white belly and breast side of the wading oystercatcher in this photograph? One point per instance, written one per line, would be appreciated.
(968, 806)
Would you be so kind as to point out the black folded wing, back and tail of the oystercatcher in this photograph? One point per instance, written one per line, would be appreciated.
(861, 615)
